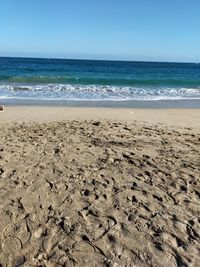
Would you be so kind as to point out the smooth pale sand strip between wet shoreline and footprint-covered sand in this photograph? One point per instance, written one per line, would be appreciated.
(170, 117)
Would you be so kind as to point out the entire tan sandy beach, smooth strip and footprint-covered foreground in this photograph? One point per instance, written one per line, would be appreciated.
(115, 192)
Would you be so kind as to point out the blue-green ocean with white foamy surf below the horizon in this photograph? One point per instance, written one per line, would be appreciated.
(91, 80)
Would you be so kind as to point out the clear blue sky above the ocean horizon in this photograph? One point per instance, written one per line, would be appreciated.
(158, 30)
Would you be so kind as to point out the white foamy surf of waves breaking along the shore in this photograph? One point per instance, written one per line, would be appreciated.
(94, 92)
